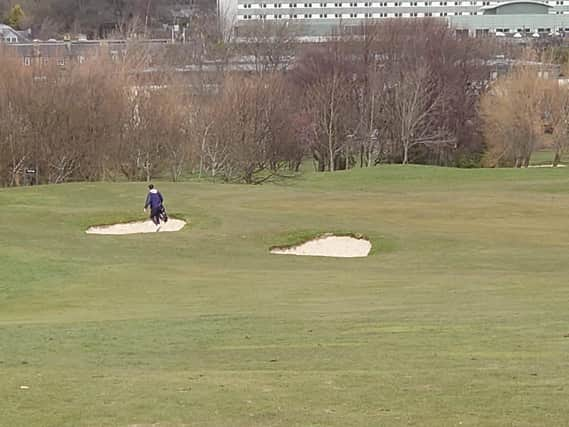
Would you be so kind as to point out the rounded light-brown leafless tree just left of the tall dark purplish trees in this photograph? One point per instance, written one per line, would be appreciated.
(247, 135)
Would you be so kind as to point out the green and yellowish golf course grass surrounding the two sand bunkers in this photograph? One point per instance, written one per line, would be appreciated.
(460, 316)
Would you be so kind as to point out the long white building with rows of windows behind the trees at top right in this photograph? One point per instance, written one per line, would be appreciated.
(321, 17)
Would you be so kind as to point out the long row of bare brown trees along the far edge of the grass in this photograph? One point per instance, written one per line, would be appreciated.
(399, 92)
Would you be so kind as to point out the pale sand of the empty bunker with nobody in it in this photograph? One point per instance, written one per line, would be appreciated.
(329, 246)
